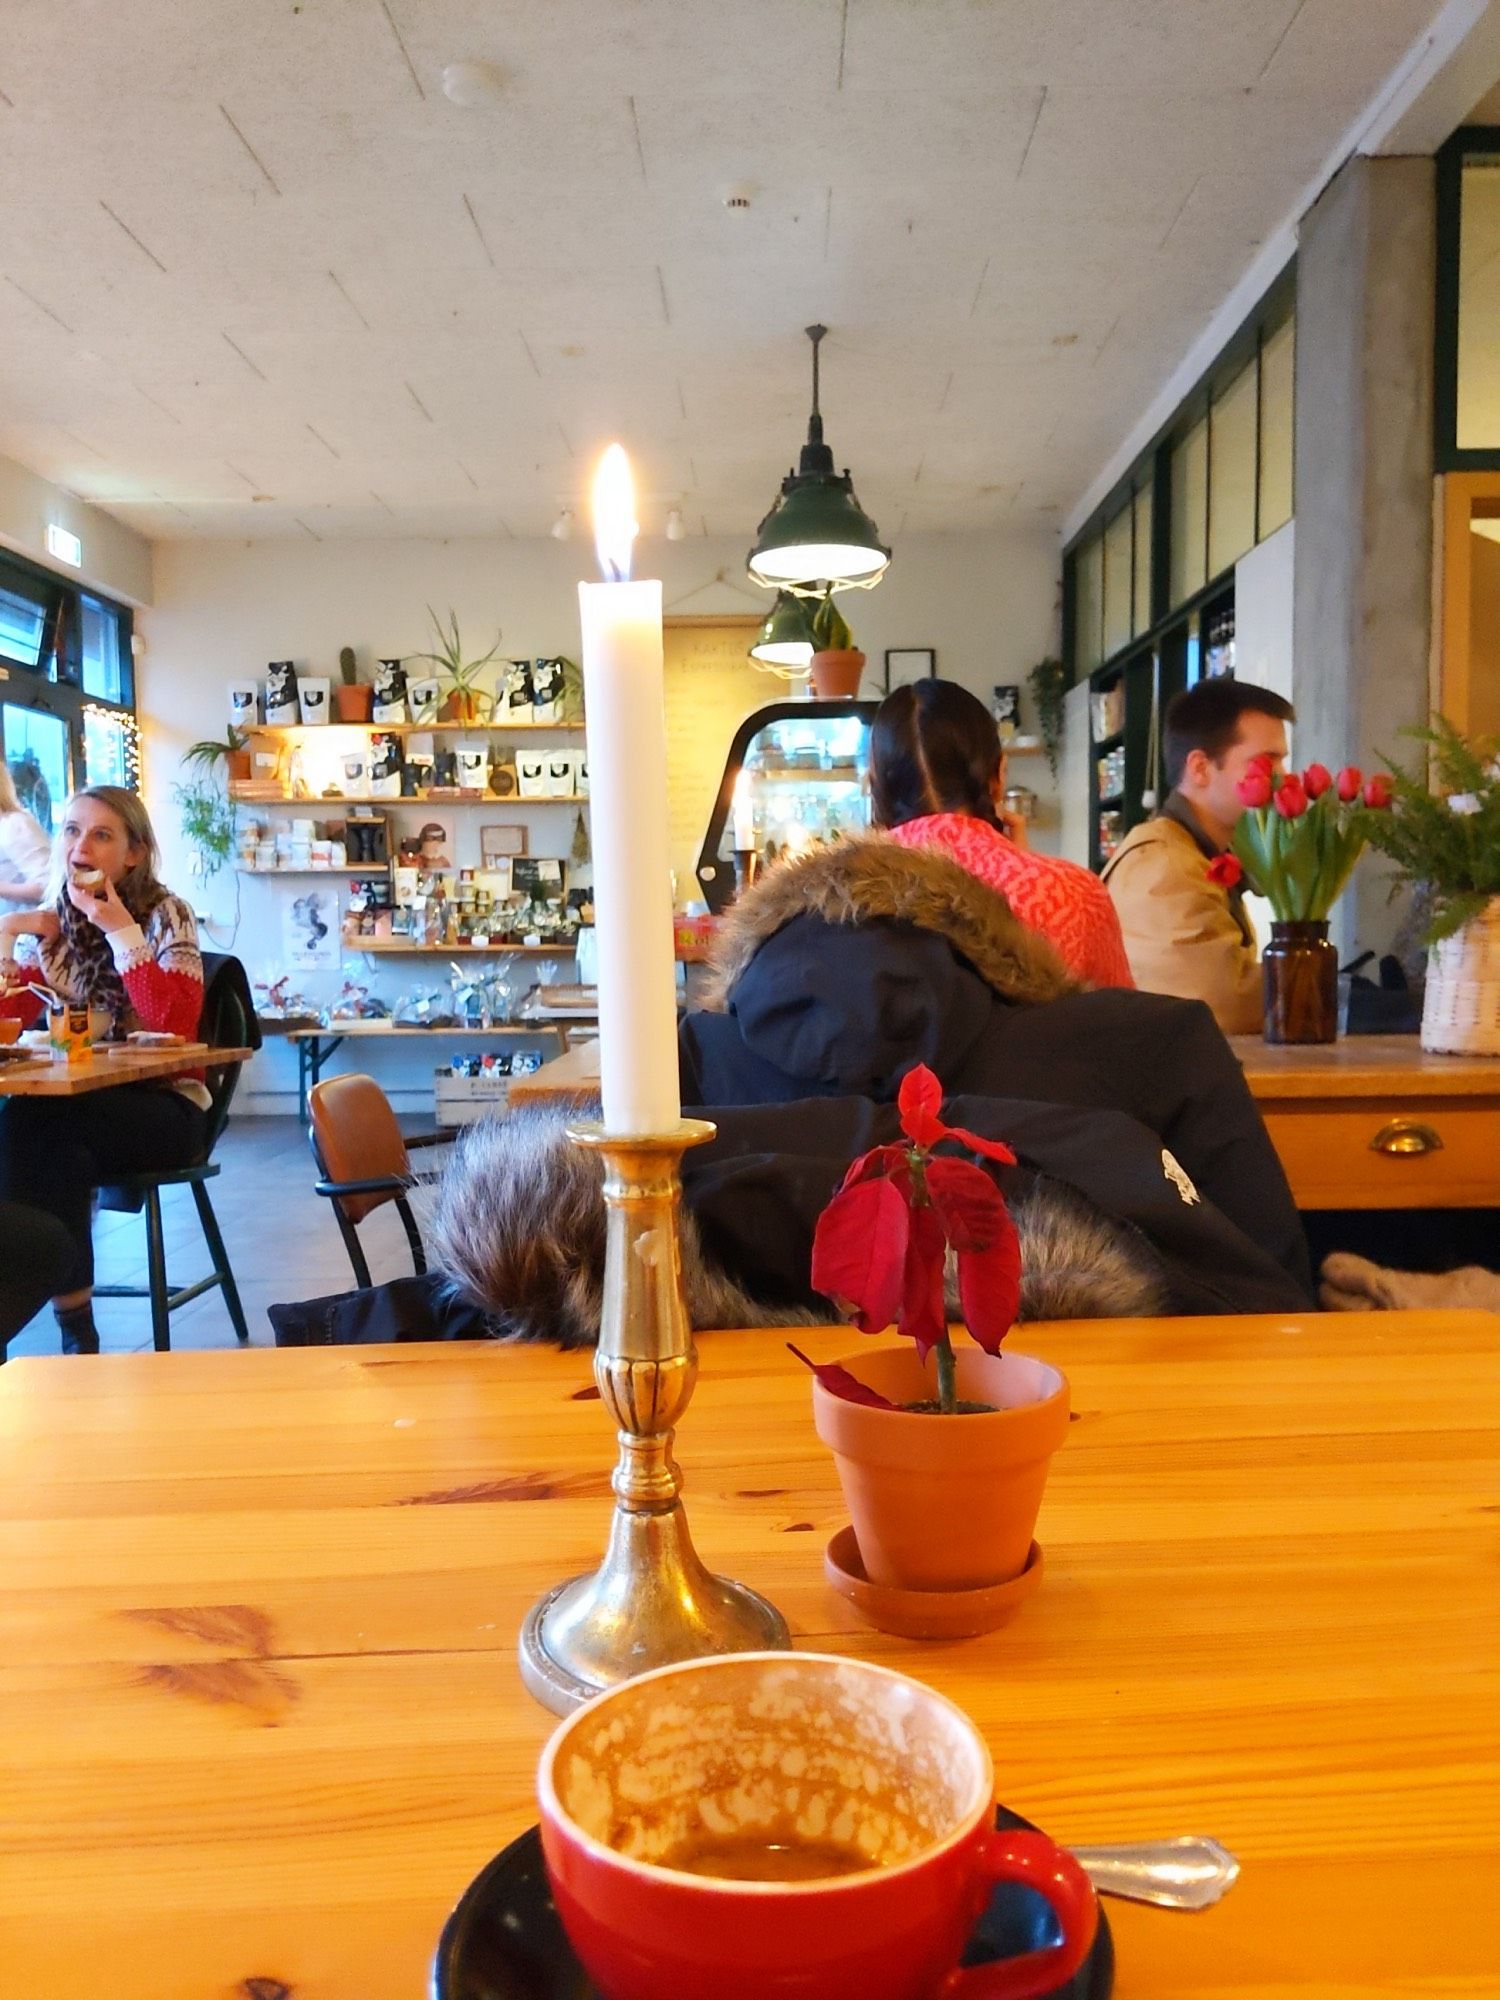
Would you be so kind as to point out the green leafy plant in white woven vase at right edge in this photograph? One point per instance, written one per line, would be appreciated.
(1445, 839)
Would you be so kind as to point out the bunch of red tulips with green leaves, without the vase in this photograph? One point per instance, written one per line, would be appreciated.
(1301, 835)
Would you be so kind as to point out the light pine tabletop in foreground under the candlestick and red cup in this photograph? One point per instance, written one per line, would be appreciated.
(259, 1703)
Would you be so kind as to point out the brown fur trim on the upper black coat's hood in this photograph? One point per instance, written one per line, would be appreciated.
(873, 879)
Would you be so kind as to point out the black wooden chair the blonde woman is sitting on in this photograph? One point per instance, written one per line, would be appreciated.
(229, 1021)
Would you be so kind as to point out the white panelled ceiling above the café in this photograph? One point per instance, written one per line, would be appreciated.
(261, 277)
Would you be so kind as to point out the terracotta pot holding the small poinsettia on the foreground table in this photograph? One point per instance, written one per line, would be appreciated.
(945, 1503)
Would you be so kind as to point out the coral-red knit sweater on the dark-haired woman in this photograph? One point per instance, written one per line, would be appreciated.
(1069, 905)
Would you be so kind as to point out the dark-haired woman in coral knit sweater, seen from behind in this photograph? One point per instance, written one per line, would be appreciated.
(937, 775)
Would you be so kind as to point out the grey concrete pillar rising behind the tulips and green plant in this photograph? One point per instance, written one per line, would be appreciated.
(1363, 595)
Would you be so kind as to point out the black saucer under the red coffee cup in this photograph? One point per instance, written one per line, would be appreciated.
(505, 1941)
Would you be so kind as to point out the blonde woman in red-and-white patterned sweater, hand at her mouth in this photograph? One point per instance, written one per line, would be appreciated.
(113, 939)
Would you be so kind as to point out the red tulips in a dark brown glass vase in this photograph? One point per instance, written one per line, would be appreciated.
(1297, 845)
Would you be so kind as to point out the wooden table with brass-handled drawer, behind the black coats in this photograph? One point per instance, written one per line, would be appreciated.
(1333, 1113)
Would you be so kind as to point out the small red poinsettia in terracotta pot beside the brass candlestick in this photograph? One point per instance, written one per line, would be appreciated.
(941, 1453)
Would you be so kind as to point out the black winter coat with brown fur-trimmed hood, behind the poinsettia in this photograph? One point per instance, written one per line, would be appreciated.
(845, 969)
